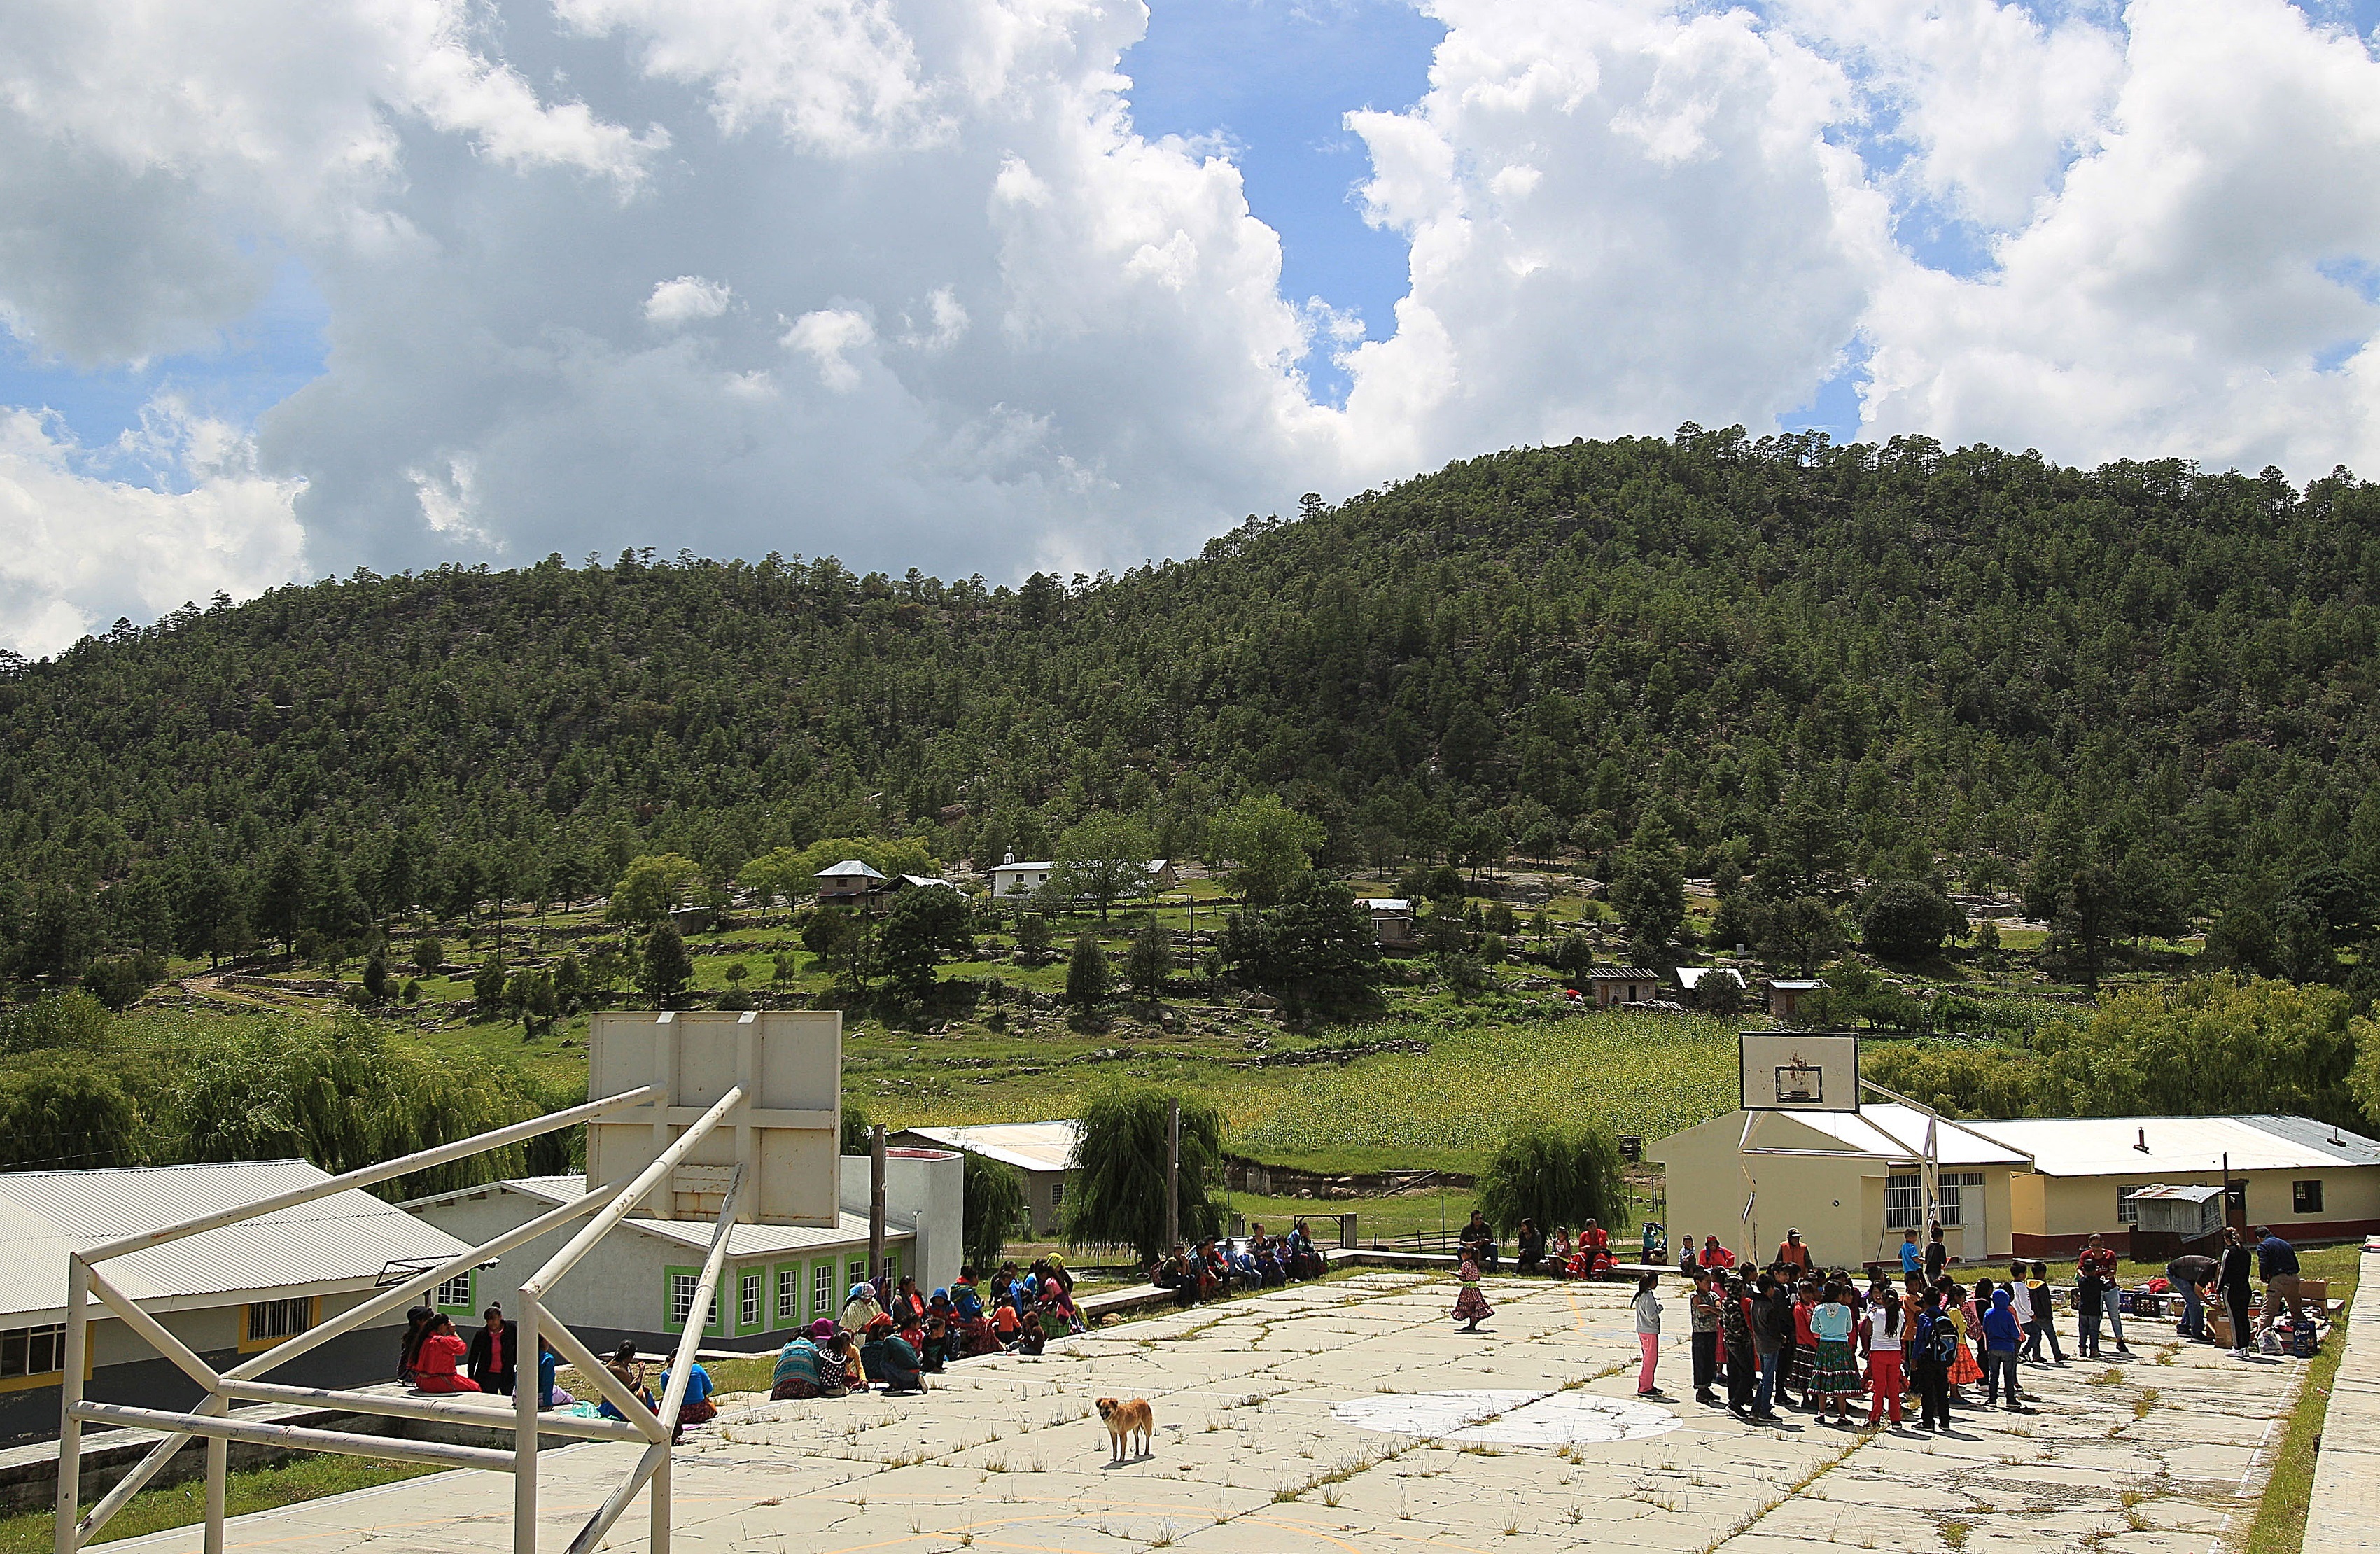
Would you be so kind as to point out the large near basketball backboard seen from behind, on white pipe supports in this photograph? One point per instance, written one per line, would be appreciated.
(789, 1134)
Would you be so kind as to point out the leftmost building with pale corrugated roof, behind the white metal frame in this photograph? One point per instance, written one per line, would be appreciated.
(225, 1293)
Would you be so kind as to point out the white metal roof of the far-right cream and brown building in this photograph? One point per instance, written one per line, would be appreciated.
(2181, 1146)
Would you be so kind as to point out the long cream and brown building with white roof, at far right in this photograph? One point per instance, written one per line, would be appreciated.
(2303, 1177)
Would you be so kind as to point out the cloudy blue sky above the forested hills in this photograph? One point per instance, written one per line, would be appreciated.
(987, 287)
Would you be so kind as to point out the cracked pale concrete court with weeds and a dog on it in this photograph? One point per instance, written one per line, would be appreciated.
(1355, 1417)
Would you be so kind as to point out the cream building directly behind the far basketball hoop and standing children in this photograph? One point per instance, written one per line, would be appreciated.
(1848, 1182)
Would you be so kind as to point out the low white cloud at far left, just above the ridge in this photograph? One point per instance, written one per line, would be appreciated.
(87, 546)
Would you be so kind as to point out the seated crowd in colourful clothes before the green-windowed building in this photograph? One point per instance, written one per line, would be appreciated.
(896, 1339)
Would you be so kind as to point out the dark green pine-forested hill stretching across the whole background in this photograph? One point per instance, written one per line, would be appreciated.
(1805, 663)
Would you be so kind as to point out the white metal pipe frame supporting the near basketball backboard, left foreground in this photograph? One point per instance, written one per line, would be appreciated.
(211, 1420)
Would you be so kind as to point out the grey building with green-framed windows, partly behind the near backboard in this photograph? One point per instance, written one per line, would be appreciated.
(641, 1282)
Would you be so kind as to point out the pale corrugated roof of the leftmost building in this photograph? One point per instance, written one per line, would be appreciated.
(334, 1243)
